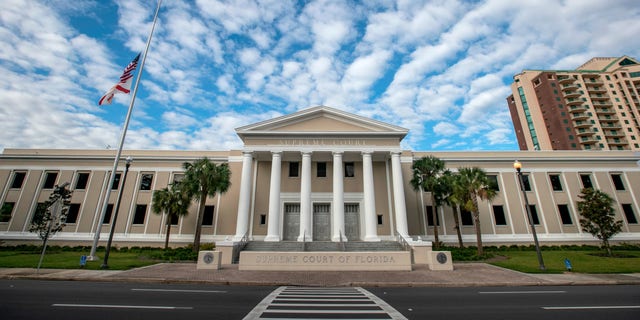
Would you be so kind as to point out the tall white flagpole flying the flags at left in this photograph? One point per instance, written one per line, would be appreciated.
(92, 256)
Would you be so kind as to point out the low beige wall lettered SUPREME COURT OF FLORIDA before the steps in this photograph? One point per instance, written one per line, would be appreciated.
(325, 261)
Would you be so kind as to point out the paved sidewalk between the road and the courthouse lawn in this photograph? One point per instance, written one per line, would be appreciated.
(463, 275)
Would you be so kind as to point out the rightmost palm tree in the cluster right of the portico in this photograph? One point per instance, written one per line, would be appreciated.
(476, 185)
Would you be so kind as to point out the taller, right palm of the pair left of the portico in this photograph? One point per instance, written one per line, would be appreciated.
(204, 178)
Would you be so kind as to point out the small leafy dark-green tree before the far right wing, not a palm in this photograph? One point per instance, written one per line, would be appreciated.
(599, 216)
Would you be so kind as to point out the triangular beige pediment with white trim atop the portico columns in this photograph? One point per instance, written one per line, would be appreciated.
(321, 121)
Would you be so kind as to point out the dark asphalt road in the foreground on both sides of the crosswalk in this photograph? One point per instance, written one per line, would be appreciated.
(30, 299)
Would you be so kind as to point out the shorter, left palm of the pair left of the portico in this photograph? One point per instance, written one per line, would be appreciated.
(172, 201)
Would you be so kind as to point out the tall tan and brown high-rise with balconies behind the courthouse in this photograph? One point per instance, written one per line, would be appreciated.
(595, 107)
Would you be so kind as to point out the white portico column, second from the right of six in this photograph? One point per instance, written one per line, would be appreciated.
(370, 216)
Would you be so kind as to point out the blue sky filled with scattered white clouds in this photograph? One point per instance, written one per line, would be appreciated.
(441, 69)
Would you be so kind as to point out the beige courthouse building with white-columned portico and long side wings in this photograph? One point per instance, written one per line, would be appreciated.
(319, 174)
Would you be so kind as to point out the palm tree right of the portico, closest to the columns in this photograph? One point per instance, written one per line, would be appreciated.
(427, 176)
